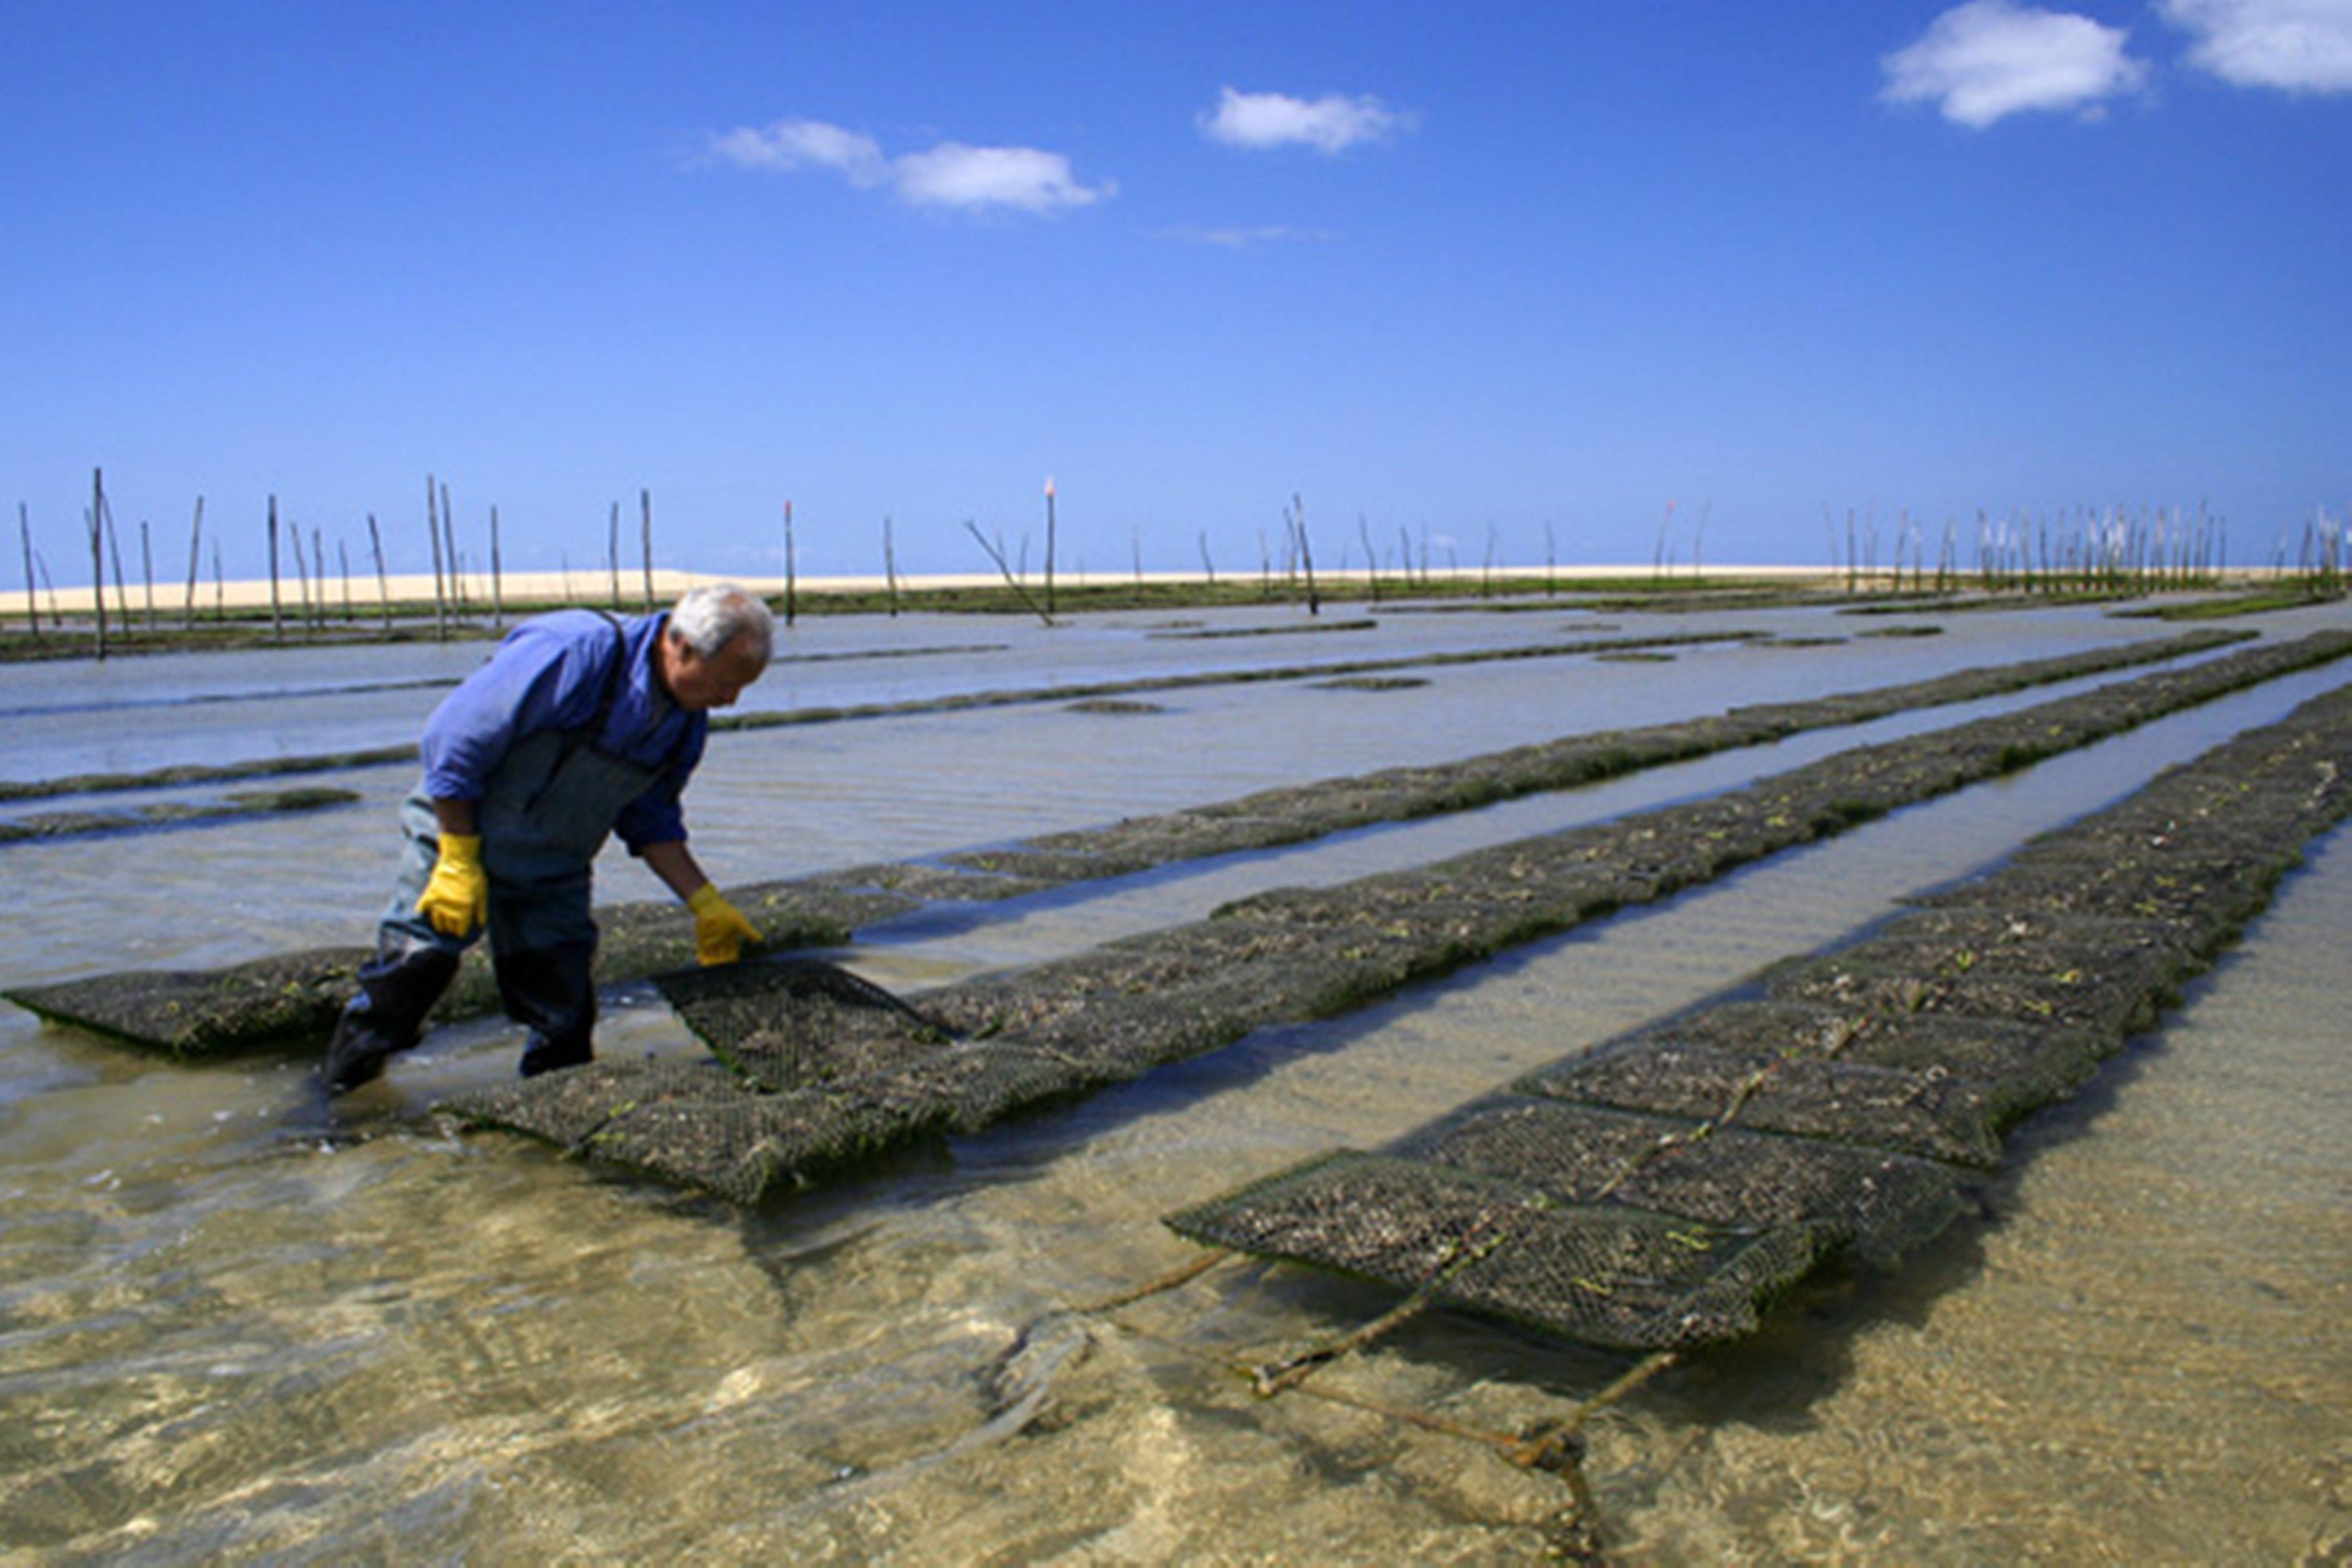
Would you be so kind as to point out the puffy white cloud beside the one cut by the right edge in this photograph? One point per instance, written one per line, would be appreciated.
(1991, 60)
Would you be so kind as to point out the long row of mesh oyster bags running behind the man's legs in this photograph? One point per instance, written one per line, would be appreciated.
(293, 998)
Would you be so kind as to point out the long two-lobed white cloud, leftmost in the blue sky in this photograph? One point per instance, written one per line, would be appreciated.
(951, 175)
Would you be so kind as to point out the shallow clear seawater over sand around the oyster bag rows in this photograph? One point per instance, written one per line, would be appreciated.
(236, 1329)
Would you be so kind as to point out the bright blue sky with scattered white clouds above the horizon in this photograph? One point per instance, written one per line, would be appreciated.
(1462, 272)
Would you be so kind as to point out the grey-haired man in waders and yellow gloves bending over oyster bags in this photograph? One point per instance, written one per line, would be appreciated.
(577, 728)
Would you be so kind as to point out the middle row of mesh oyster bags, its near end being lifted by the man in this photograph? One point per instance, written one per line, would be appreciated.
(799, 1094)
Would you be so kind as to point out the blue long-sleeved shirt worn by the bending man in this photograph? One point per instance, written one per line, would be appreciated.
(552, 674)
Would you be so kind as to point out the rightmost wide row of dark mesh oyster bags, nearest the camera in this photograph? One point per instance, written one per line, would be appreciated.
(1664, 1186)
